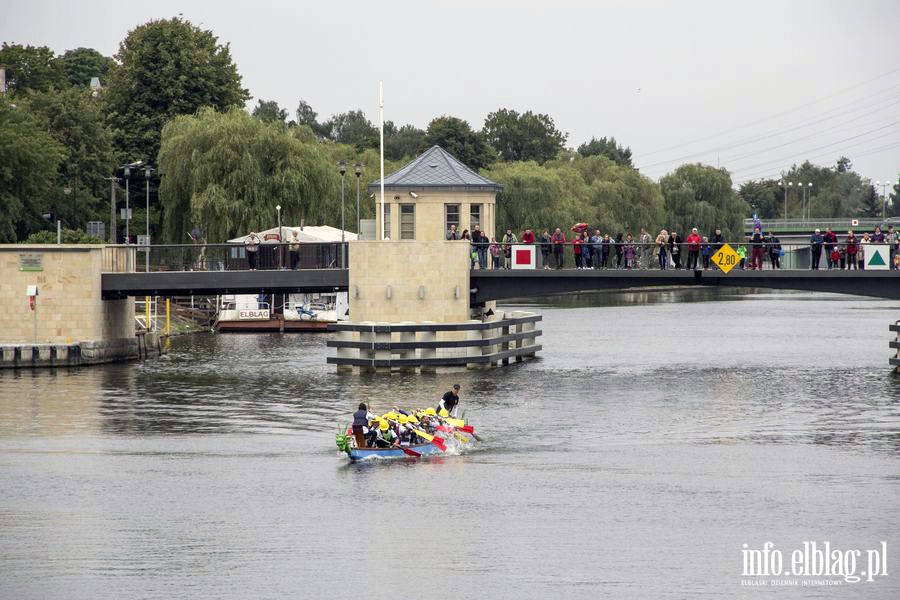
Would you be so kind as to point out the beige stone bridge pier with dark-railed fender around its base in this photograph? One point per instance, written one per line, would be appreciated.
(410, 309)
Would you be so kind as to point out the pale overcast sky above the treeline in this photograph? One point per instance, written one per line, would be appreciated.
(754, 85)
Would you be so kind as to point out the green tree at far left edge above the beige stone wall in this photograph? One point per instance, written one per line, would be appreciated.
(29, 158)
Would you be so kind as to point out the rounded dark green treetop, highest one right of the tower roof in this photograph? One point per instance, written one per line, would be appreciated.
(526, 136)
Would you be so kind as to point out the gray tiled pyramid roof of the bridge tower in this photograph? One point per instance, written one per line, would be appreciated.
(436, 168)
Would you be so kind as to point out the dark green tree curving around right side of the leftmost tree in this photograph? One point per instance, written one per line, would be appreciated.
(75, 120)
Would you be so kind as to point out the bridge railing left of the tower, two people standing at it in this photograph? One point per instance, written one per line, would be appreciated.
(228, 257)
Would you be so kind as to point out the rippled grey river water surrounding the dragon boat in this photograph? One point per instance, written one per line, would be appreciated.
(655, 436)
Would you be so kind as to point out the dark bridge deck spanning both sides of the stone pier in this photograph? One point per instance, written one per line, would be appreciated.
(503, 284)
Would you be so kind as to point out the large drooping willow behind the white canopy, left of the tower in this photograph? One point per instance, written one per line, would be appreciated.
(224, 174)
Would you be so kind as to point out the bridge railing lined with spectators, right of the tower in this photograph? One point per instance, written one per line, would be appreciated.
(634, 255)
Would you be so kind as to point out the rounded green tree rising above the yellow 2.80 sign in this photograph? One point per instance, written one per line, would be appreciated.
(701, 196)
